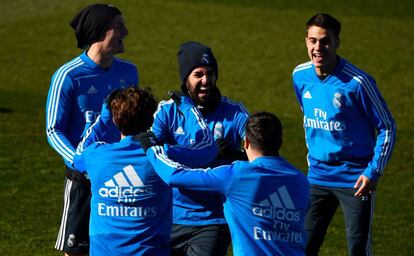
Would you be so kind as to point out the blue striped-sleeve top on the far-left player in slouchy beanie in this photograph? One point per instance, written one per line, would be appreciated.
(77, 91)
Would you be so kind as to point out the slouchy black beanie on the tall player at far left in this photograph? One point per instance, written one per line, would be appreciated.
(91, 23)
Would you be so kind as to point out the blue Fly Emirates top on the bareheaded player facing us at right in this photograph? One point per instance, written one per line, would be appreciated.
(348, 127)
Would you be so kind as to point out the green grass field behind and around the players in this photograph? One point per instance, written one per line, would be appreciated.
(257, 44)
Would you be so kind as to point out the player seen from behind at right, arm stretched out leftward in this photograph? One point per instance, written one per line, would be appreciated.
(265, 199)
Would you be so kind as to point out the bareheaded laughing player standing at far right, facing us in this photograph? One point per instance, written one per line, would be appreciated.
(349, 132)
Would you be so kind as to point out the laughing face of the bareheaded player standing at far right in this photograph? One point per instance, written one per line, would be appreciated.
(322, 45)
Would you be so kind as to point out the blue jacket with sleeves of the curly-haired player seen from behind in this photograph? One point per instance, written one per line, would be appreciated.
(124, 185)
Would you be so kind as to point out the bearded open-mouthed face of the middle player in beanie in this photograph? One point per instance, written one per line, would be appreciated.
(200, 83)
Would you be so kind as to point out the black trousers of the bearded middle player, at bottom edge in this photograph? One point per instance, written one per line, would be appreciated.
(208, 240)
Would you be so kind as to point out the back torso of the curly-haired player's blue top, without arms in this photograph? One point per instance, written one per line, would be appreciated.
(131, 205)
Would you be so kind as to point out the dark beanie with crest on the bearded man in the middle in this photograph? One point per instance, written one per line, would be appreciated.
(192, 55)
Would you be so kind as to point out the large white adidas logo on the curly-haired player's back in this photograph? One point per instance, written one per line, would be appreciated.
(124, 184)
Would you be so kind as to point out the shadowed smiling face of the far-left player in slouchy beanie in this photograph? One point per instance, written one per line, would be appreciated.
(113, 42)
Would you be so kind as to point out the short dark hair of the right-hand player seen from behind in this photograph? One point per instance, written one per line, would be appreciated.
(264, 131)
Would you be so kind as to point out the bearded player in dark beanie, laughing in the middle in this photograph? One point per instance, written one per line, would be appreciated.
(199, 227)
